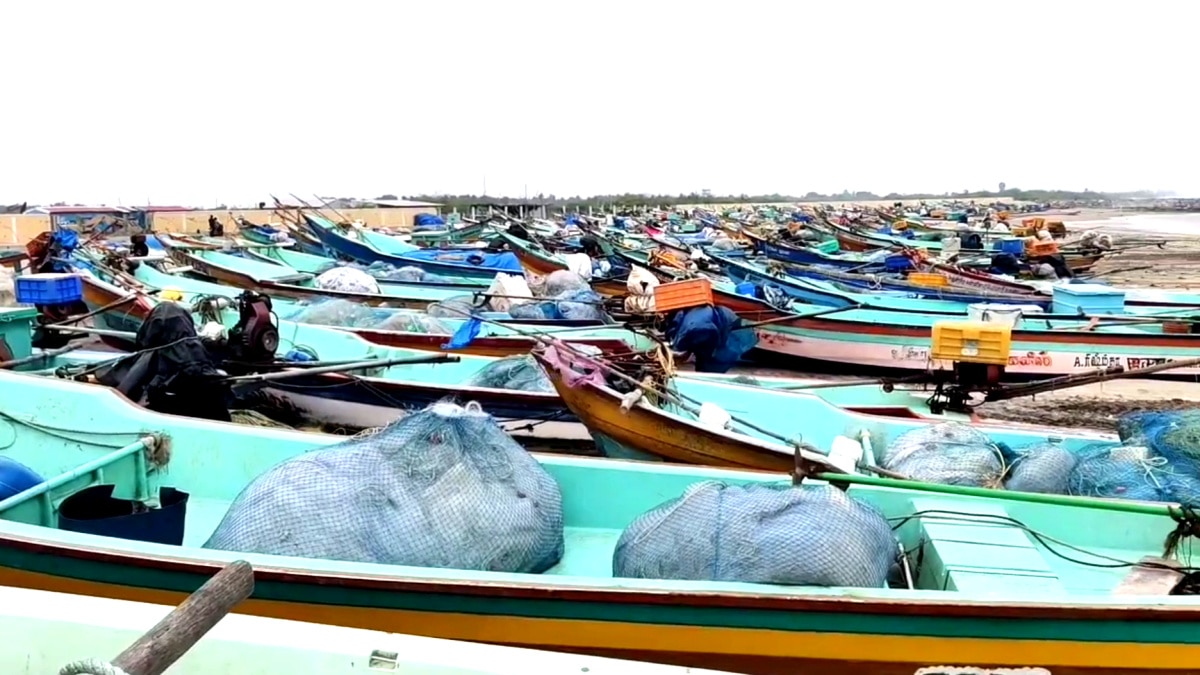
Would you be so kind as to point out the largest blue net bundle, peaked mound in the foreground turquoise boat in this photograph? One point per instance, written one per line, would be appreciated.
(445, 487)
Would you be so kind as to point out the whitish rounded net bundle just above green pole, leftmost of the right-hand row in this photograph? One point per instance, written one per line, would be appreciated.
(951, 453)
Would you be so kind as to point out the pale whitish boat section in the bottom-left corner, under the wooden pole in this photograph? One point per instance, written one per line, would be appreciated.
(45, 631)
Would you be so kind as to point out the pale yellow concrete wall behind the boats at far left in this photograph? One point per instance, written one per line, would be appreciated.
(20, 230)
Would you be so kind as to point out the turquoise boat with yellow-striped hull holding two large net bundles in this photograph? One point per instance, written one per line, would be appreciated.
(987, 583)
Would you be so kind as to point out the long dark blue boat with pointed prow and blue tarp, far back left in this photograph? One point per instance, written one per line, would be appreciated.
(460, 264)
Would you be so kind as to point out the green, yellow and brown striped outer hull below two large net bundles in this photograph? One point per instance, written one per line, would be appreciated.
(890, 644)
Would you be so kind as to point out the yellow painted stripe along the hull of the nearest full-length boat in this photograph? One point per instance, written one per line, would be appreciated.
(551, 634)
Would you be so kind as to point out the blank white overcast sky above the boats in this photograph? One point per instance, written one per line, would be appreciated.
(229, 101)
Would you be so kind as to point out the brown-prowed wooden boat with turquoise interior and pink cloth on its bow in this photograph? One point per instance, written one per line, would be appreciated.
(764, 419)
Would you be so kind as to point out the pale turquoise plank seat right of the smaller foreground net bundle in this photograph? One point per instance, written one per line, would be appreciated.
(980, 557)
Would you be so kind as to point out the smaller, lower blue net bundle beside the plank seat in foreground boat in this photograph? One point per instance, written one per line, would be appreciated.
(808, 536)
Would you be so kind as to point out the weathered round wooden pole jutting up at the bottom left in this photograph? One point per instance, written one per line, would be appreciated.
(181, 630)
